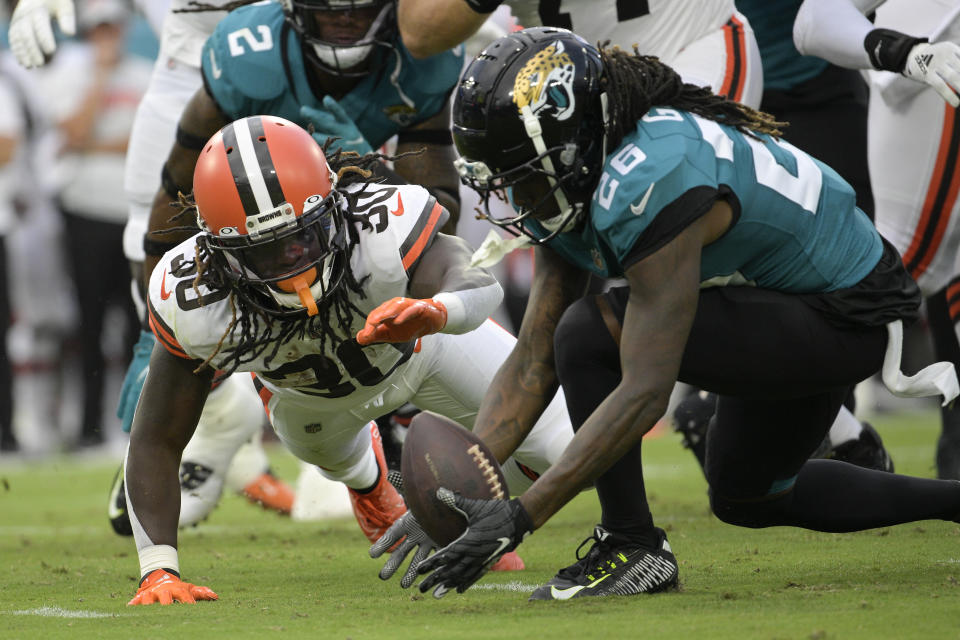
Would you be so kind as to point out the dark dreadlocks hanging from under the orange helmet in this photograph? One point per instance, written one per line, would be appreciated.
(254, 329)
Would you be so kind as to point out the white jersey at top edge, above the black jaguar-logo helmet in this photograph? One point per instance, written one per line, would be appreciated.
(659, 27)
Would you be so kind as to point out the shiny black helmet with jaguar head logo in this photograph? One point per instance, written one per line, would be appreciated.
(529, 109)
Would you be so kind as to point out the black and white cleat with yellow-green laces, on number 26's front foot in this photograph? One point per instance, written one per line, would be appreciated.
(614, 566)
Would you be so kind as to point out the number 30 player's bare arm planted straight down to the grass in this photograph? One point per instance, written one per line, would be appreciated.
(173, 397)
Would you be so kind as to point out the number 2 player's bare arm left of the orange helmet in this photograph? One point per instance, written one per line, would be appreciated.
(201, 119)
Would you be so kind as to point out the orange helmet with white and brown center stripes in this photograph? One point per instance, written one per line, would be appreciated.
(271, 214)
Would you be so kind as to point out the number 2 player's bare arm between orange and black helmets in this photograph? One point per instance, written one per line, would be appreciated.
(433, 168)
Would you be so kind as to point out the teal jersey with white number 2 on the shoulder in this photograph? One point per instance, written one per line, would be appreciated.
(252, 65)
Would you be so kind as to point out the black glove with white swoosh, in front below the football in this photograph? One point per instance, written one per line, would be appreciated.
(494, 527)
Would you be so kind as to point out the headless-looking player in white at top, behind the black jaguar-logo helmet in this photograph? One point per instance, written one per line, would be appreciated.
(708, 42)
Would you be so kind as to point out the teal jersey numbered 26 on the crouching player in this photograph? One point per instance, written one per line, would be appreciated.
(796, 226)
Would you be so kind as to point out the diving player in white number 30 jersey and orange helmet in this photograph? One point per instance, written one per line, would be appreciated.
(340, 297)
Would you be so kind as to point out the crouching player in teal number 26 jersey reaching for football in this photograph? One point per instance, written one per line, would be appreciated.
(750, 273)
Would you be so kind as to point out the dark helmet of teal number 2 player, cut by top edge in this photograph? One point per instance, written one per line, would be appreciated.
(340, 36)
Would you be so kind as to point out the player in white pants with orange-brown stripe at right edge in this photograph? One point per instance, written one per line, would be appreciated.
(913, 146)
